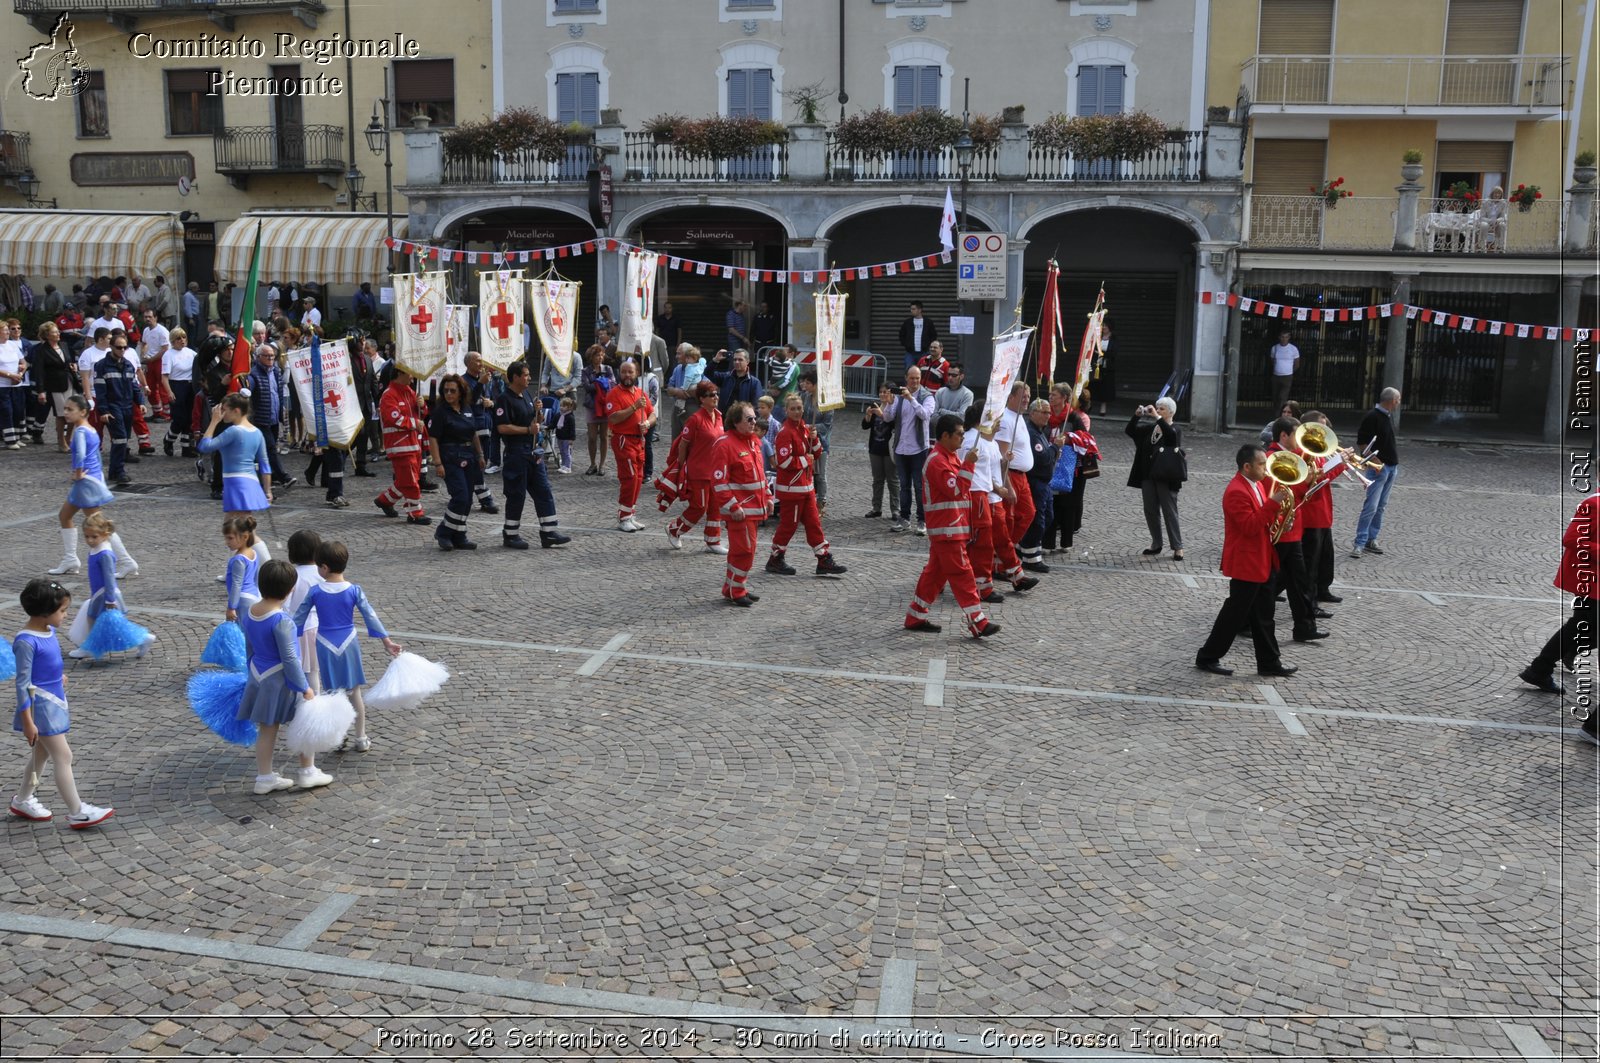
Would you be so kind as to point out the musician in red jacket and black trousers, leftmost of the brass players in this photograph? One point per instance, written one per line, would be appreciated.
(1247, 563)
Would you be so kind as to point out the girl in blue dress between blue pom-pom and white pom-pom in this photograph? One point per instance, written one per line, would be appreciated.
(276, 683)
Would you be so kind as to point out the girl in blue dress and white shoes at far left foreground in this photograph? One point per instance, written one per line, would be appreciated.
(42, 707)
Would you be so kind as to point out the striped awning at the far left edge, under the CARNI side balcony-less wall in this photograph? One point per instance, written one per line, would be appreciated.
(71, 244)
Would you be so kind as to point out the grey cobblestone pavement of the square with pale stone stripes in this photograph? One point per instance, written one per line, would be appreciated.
(798, 824)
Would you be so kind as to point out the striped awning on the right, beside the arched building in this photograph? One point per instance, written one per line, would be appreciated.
(319, 249)
